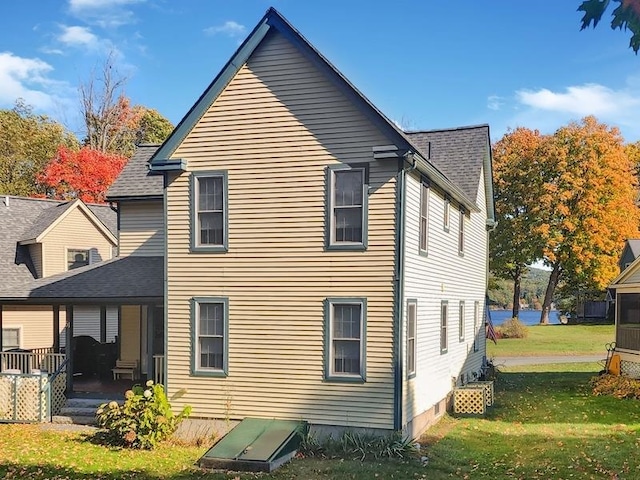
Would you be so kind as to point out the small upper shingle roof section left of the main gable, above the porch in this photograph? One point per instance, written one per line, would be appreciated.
(135, 179)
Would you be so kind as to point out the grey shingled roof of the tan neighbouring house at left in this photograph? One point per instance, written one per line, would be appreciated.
(22, 219)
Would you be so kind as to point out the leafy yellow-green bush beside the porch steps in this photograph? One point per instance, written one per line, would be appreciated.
(144, 420)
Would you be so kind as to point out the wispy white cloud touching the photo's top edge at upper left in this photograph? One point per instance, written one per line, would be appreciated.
(104, 13)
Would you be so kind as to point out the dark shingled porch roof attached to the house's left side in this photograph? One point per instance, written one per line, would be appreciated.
(122, 280)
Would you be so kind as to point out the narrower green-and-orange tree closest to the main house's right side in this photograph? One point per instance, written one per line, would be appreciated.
(516, 181)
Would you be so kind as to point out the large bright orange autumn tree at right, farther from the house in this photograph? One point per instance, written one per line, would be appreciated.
(586, 206)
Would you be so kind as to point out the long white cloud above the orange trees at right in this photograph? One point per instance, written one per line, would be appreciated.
(588, 99)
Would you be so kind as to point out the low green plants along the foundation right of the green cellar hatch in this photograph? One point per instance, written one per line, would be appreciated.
(352, 445)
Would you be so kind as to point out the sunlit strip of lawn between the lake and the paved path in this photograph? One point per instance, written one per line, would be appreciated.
(544, 340)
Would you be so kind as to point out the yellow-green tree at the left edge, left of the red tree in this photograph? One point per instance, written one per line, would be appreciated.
(27, 142)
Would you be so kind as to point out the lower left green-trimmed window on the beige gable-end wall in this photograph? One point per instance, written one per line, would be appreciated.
(210, 336)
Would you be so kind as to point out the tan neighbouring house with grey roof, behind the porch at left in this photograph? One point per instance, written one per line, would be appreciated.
(41, 238)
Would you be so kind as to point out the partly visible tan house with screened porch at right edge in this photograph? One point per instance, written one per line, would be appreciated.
(626, 289)
